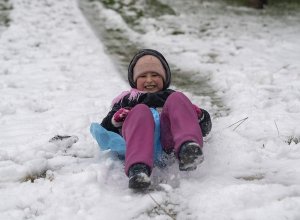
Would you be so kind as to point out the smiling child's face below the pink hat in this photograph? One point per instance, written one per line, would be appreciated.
(149, 82)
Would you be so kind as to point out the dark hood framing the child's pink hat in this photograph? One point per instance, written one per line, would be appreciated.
(143, 52)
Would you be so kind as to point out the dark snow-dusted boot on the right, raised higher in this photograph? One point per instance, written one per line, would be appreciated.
(190, 155)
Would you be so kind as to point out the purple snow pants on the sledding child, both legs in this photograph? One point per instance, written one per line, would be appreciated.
(178, 122)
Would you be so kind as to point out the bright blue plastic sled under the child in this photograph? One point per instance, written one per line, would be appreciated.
(108, 140)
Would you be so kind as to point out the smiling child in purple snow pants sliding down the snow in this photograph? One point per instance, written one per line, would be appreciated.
(149, 76)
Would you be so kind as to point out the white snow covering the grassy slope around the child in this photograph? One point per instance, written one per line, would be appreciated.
(56, 78)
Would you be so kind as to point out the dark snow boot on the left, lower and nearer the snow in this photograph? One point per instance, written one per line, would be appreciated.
(139, 176)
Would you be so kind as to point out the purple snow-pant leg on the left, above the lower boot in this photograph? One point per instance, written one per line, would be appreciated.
(138, 132)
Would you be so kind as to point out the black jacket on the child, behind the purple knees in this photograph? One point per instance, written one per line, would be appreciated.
(154, 100)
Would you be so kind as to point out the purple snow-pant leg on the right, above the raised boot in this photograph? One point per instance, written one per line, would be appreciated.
(179, 123)
